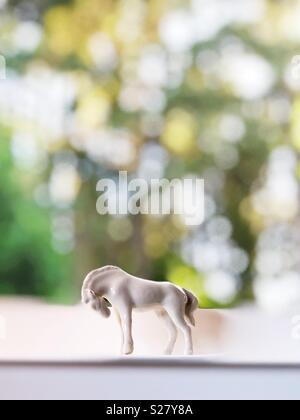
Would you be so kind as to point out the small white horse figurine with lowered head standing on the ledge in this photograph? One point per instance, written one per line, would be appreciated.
(111, 286)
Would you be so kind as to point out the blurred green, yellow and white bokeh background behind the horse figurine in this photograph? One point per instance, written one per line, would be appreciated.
(160, 89)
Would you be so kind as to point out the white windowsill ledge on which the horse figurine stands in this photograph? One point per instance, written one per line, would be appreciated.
(54, 352)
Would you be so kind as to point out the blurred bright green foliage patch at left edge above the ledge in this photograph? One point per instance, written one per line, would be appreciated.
(28, 262)
